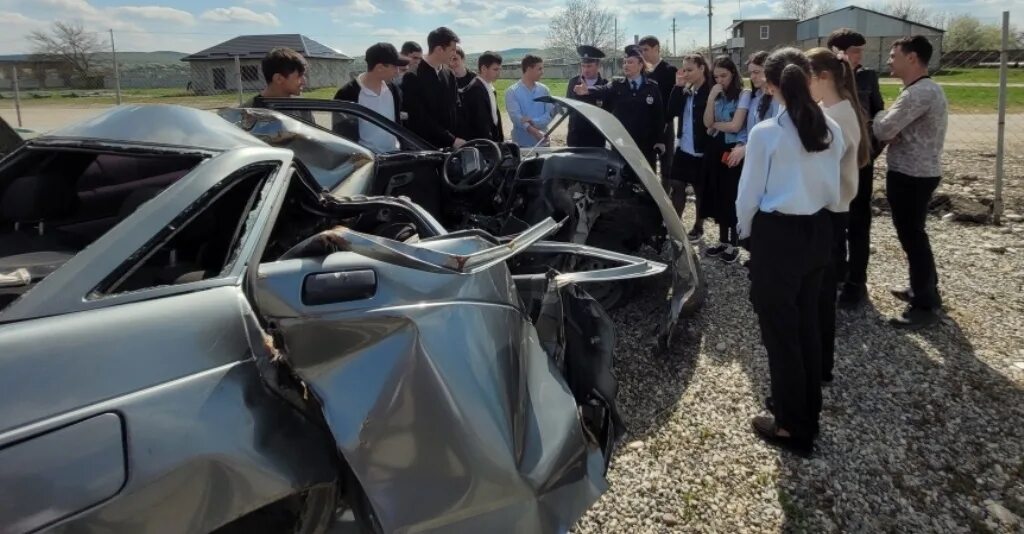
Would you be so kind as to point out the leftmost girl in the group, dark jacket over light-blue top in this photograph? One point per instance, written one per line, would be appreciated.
(688, 102)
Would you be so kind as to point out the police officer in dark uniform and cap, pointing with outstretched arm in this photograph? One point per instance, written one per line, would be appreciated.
(636, 102)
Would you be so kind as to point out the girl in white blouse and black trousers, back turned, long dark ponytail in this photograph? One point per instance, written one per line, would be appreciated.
(790, 178)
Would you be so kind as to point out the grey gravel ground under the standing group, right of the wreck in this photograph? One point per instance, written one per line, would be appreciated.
(921, 432)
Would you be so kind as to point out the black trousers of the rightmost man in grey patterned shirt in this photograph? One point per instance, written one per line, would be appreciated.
(909, 198)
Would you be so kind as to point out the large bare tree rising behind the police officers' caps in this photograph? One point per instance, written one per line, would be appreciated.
(584, 22)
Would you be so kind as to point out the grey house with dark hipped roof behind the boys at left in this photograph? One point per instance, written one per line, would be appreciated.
(224, 67)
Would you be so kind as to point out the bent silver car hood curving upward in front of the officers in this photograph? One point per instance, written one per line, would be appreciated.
(622, 143)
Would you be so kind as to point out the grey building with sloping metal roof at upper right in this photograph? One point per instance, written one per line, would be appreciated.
(880, 30)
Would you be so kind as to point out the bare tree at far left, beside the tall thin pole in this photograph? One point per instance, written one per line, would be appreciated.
(70, 45)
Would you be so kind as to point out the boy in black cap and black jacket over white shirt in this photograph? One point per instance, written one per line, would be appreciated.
(376, 91)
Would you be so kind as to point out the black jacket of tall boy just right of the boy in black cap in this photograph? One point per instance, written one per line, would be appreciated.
(432, 100)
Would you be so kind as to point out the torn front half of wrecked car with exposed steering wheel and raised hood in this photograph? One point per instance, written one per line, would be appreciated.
(608, 197)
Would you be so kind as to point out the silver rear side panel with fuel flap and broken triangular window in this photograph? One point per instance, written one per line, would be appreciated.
(139, 407)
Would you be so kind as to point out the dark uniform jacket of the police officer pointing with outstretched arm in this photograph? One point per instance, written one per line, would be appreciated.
(642, 112)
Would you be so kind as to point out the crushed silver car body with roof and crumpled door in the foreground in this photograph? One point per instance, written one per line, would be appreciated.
(199, 334)
